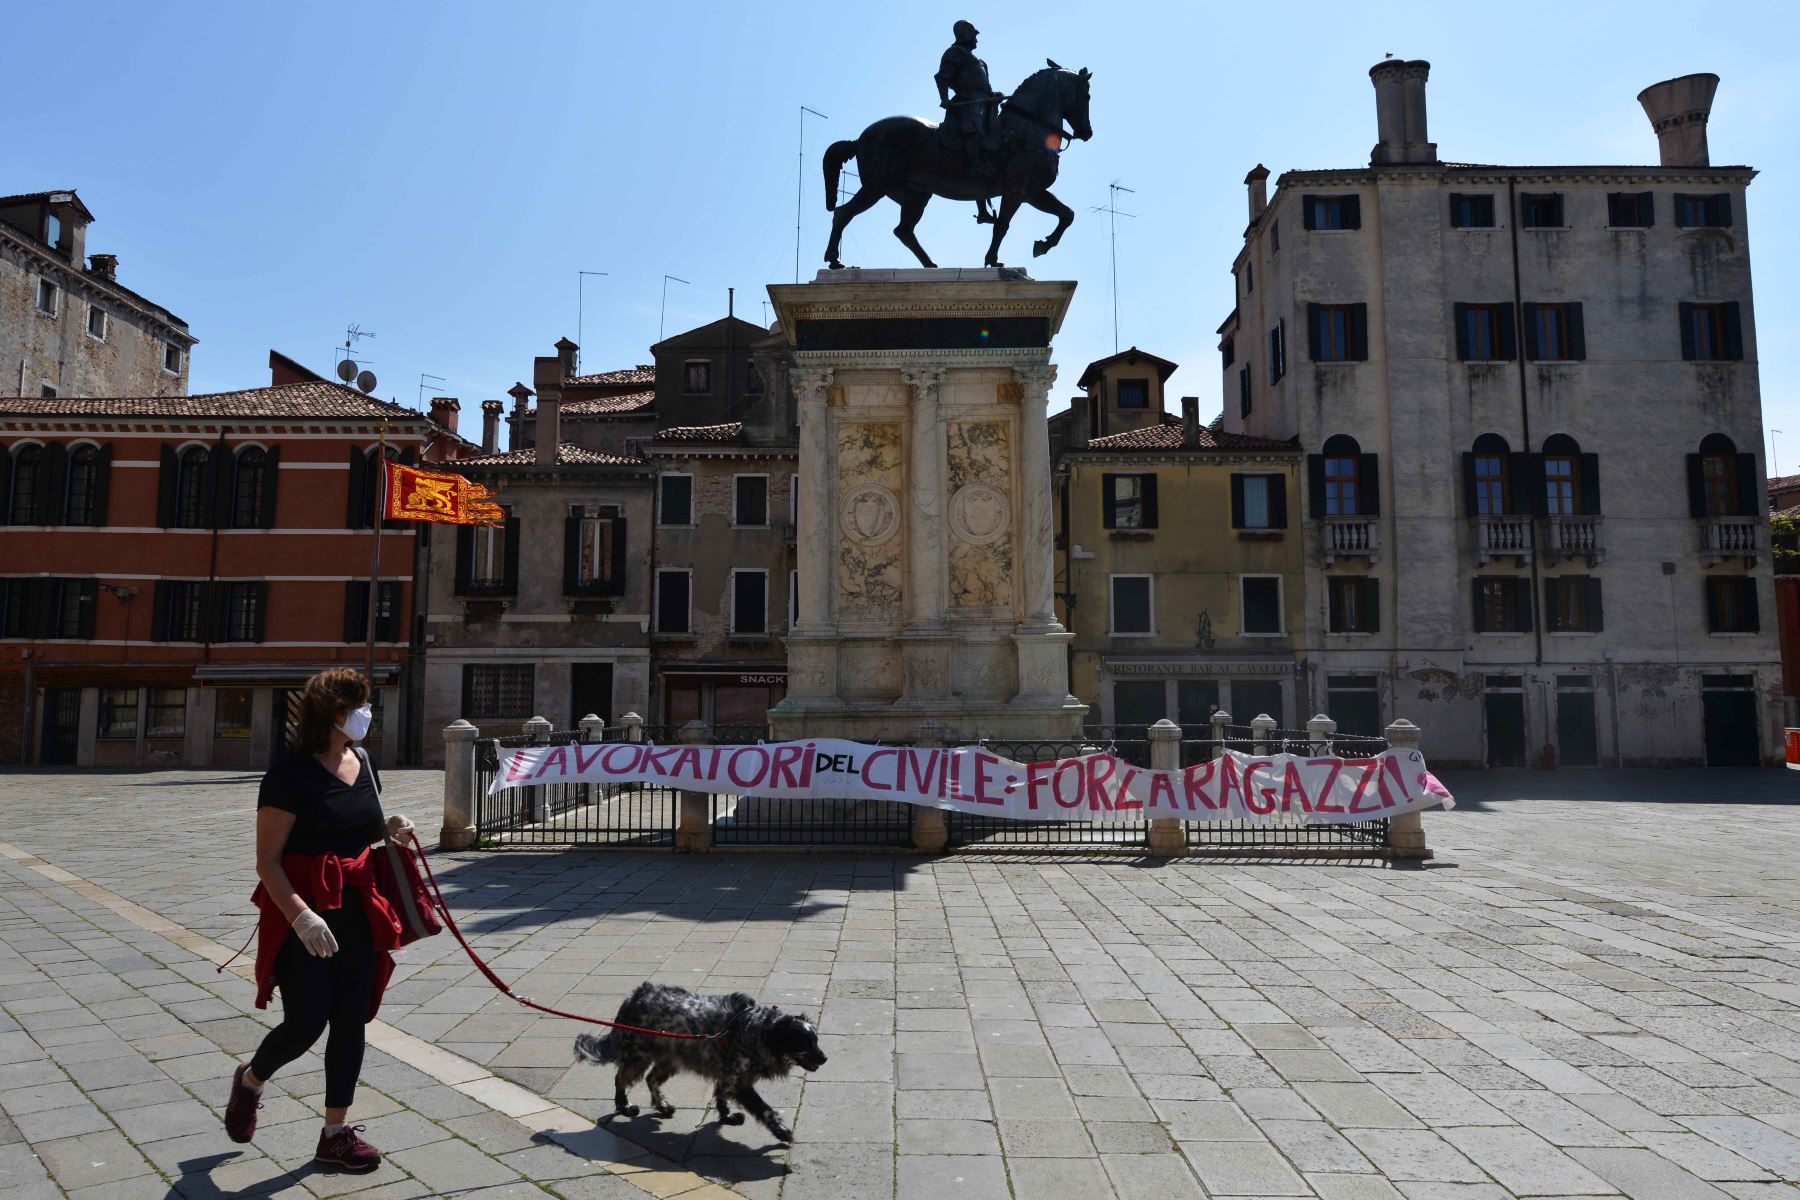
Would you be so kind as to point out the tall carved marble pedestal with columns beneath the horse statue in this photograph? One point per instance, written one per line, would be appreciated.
(926, 528)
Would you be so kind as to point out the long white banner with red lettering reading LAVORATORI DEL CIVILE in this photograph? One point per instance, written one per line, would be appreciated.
(1093, 787)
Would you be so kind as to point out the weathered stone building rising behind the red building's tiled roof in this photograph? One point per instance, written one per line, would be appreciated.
(67, 325)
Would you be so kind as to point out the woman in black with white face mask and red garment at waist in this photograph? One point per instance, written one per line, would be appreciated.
(325, 936)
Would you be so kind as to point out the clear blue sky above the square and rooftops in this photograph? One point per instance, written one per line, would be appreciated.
(440, 172)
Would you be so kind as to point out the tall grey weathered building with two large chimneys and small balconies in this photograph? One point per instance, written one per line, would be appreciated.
(1470, 354)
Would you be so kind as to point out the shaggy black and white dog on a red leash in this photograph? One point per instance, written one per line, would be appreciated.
(748, 1043)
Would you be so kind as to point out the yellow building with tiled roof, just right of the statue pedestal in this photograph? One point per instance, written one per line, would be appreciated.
(1178, 557)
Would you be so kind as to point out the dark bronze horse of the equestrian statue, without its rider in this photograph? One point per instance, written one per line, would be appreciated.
(908, 161)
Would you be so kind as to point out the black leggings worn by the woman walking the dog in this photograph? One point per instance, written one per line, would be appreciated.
(319, 992)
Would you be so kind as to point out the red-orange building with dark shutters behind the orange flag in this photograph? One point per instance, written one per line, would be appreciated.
(174, 566)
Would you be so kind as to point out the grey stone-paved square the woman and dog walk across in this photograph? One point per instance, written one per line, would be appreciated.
(1590, 992)
